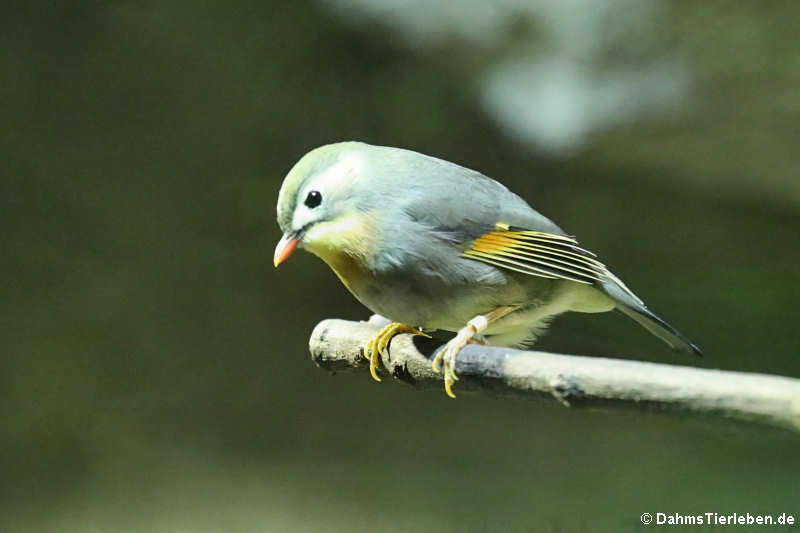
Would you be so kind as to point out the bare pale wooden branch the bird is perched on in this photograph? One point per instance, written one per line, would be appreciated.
(571, 379)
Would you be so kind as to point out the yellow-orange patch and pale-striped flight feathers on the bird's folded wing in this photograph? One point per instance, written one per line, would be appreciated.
(537, 253)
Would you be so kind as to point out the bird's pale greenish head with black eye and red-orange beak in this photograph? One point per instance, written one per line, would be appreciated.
(317, 206)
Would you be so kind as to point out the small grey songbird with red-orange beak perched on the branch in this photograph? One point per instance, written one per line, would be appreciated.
(432, 245)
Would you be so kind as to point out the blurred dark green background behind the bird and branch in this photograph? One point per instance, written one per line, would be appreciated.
(154, 372)
